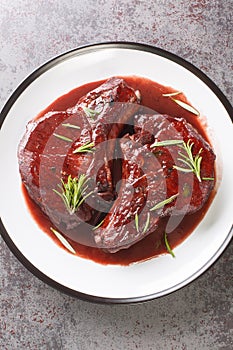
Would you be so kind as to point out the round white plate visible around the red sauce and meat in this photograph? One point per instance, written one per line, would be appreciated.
(84, 278)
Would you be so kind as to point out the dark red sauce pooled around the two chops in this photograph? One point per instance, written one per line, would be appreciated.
(152, 245)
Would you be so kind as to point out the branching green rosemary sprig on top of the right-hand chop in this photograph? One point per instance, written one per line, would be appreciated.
(193, 163)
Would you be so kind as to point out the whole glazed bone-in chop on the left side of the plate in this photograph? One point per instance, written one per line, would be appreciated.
(46, 155)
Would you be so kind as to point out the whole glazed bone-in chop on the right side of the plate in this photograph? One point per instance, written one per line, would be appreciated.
(157, 180)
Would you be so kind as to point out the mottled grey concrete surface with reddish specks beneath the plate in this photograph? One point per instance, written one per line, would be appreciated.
(32, 314)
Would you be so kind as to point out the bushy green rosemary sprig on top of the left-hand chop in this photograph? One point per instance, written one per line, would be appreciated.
(72, 192)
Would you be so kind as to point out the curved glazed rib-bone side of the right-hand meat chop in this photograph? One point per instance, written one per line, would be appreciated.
(129, 219)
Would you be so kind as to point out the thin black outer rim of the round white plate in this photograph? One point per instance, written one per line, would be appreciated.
(80, 51)
